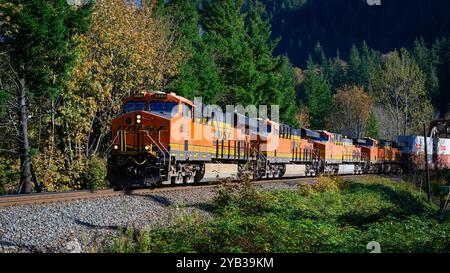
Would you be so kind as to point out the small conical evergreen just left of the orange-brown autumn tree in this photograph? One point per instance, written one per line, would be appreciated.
(316, 95)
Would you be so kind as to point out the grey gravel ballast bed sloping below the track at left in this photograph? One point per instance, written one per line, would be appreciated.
(55, 227)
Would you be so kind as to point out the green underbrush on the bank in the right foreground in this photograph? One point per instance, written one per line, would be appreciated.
(332, 216)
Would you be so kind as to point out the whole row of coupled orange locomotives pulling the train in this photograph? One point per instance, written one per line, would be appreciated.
(159, 140)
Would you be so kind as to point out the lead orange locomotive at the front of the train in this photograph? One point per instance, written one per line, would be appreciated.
(157, 140)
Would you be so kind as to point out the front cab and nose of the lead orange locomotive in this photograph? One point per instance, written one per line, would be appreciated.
(141, 136)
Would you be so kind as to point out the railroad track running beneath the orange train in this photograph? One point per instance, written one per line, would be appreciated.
(41, 198)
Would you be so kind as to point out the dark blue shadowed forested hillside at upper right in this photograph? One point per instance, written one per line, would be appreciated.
(338, 24)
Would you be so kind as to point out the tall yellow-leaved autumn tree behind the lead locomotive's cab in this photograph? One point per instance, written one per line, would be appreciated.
(128, 48)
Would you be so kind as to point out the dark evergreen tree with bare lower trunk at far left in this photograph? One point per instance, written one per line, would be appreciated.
(38, 36)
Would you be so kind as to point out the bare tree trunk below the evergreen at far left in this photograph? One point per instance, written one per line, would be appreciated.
(25, 159)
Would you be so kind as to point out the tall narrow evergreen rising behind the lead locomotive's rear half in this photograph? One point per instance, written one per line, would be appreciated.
(226, 32)
